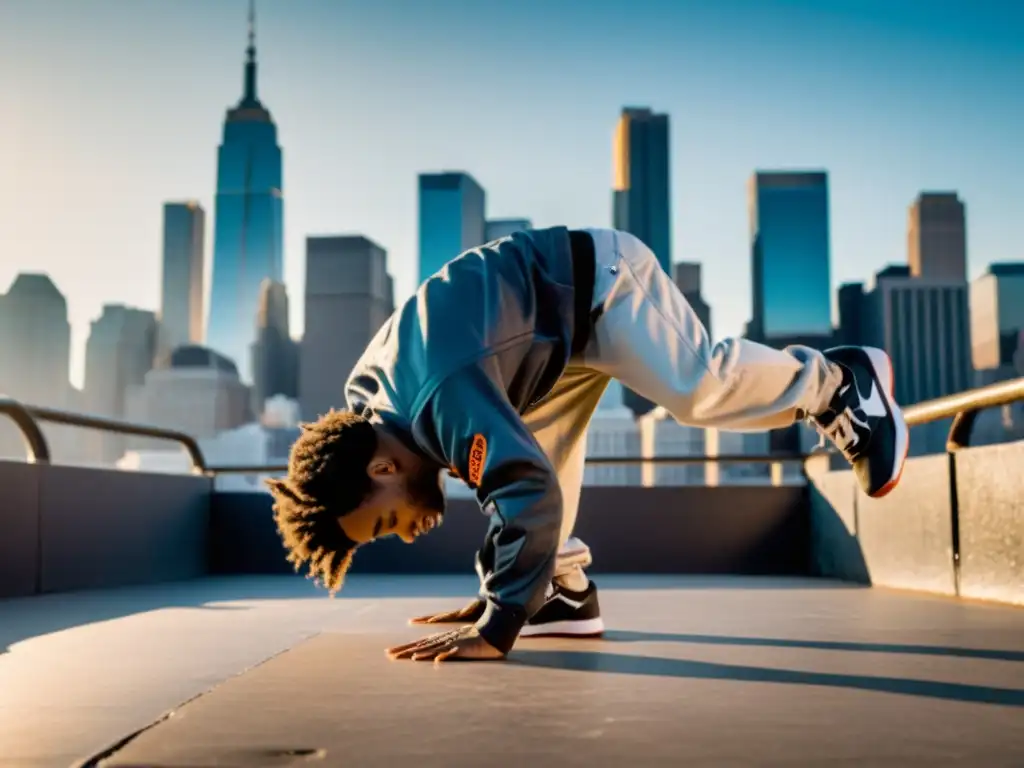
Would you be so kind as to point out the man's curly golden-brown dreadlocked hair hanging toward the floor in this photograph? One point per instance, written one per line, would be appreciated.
(327, 480)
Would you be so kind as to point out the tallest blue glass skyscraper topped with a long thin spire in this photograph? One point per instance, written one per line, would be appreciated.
(248, 244)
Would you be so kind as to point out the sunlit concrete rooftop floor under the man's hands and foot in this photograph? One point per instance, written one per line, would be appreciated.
(695, 672)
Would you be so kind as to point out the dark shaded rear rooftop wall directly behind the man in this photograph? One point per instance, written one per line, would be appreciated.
(688, 530)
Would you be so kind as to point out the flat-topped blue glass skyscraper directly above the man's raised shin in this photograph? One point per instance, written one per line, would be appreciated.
(790, 253)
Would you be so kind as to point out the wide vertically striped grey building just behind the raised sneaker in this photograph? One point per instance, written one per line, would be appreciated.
(923, 324)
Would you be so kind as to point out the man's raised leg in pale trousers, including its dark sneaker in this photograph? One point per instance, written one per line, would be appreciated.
(649, 337)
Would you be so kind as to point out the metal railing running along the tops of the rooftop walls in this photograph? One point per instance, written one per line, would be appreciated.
(963, 408)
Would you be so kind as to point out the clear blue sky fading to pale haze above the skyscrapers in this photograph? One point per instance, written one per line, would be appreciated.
(112, 107)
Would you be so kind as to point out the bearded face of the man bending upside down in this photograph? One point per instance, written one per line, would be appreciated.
(407, 504)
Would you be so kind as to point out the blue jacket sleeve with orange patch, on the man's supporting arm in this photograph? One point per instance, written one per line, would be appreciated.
(486, 442)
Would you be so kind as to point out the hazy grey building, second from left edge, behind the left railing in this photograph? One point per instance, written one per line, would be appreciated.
(119, 354)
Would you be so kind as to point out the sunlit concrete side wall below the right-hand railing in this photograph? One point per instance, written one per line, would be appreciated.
(910, 539)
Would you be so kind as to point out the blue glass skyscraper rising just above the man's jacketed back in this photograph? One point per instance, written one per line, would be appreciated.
(452, 219)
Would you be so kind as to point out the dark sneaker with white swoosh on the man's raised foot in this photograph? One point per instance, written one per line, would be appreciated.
(864, 420)
